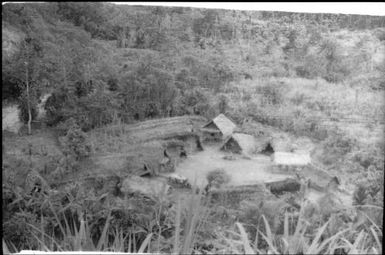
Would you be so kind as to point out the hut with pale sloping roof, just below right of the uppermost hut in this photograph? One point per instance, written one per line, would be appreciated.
(239, 143)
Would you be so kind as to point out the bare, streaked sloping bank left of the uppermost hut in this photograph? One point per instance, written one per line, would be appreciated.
(123, 148)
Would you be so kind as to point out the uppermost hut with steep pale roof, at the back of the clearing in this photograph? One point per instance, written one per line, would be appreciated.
(218, 128)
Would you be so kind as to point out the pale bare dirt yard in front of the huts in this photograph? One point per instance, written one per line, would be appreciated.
(242, 171)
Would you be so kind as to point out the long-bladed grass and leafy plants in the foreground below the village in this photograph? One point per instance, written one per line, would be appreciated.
(184, 227)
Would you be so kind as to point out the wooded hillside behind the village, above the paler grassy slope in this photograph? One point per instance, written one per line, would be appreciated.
(101, 54)
